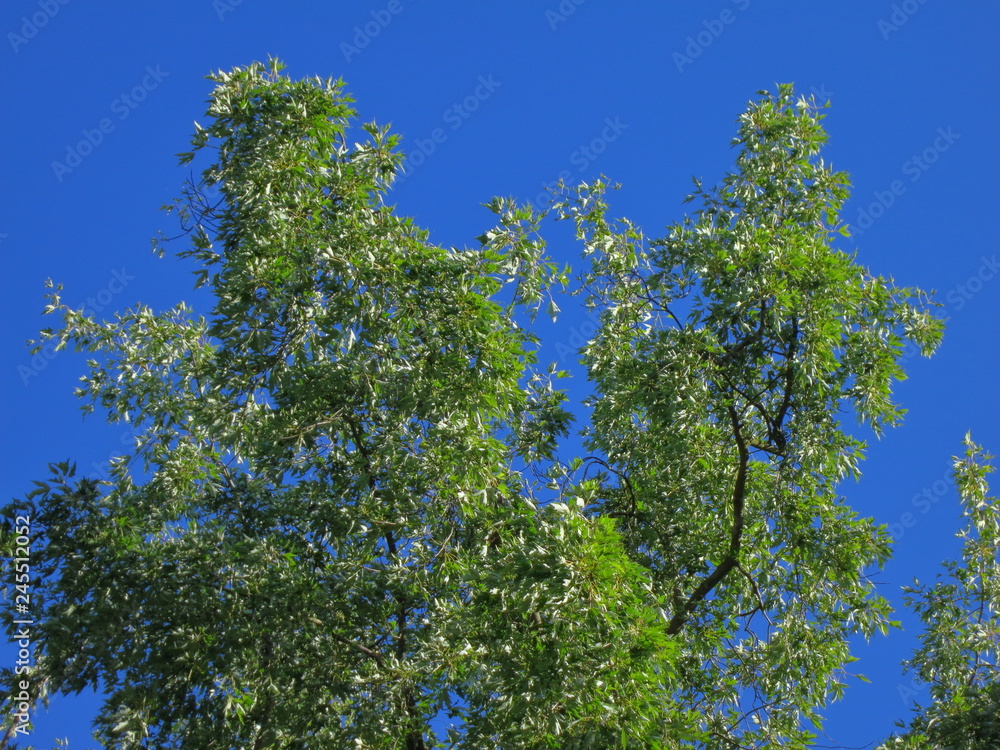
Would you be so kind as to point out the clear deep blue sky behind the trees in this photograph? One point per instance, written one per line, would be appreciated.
(97, 98)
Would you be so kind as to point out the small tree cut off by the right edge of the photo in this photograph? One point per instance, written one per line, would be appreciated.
(959, 653)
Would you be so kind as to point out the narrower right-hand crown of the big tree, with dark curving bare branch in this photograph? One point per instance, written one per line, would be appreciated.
(725, 355)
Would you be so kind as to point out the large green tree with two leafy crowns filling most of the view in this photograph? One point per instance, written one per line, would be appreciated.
(346, 513)
